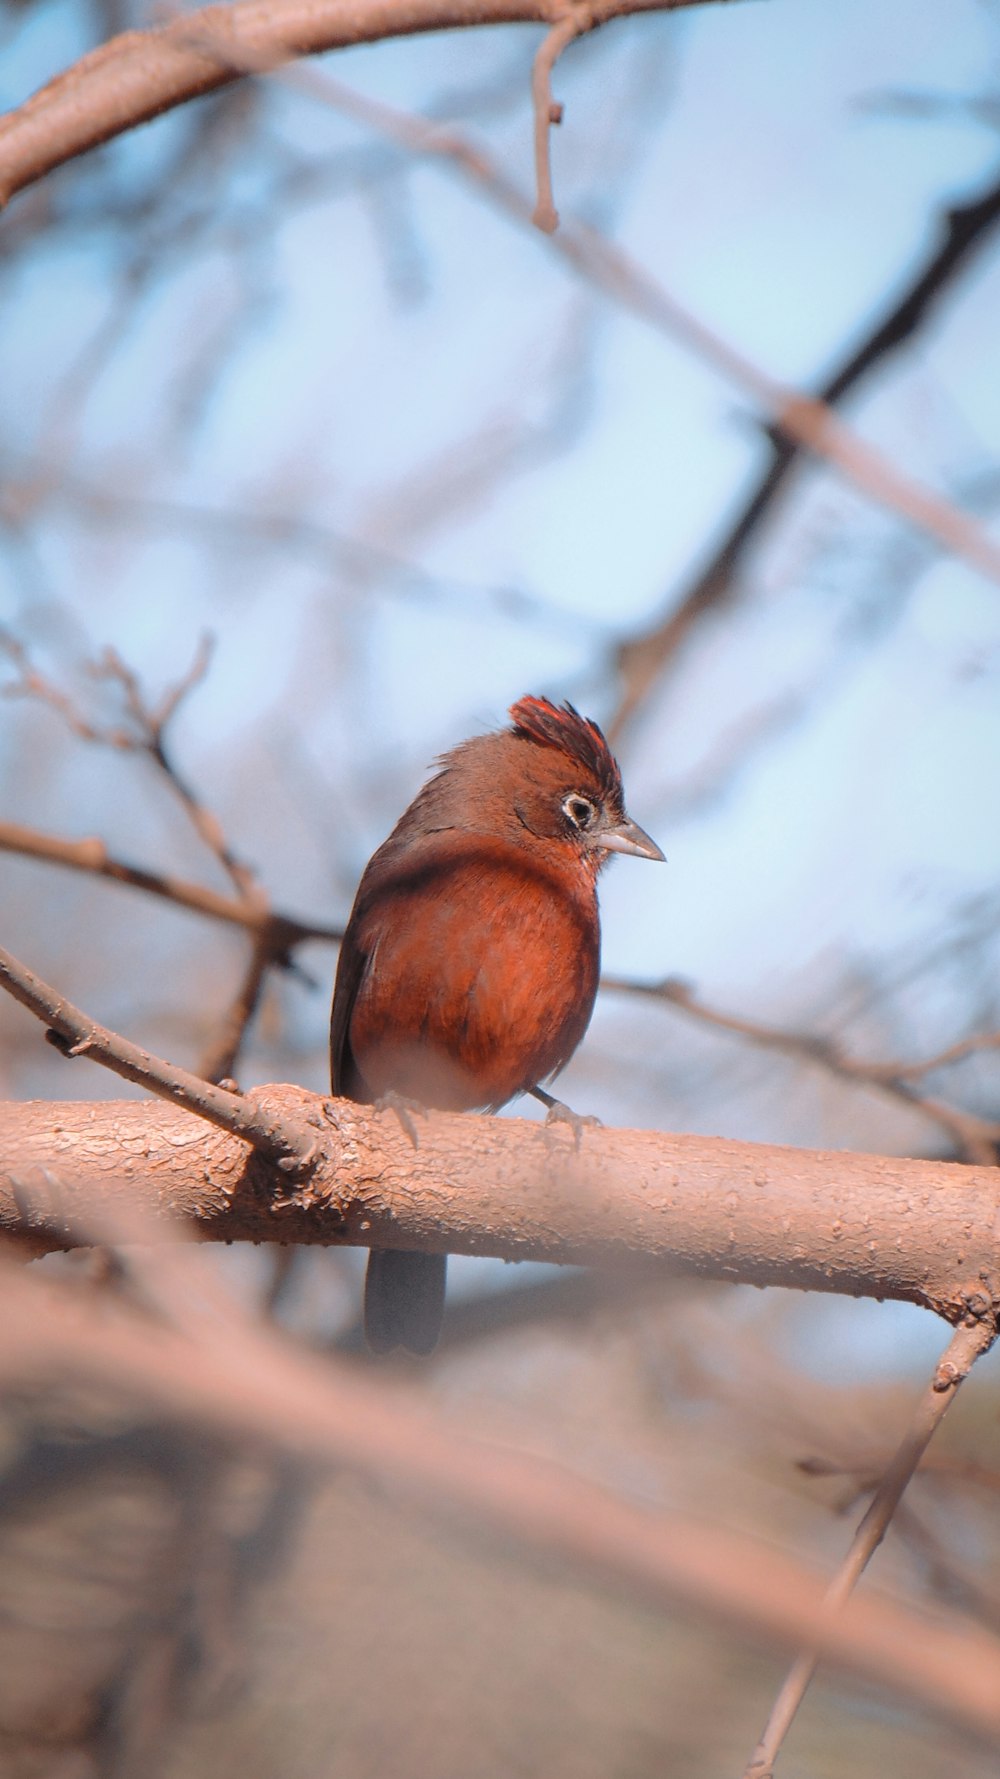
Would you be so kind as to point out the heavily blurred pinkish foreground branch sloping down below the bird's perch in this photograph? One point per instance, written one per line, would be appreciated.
(230, 1376)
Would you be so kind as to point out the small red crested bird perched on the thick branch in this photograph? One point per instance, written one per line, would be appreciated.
(471, 962)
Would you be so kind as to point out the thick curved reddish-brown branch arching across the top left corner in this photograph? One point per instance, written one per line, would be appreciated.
(143, 74)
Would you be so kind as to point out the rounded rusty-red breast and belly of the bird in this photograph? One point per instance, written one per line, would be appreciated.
(481, 978)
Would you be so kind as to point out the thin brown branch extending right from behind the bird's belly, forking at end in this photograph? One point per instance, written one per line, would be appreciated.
(976, 1138)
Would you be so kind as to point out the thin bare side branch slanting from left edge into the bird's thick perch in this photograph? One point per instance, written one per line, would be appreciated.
(278, 1139)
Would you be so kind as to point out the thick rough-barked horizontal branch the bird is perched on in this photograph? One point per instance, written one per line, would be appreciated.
(862, 1225)
